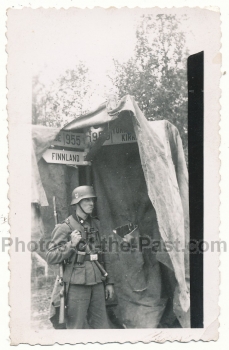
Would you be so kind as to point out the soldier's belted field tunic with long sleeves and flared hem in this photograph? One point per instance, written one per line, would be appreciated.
(60, 250)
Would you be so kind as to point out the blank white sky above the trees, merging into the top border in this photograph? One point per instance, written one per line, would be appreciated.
(63, 38)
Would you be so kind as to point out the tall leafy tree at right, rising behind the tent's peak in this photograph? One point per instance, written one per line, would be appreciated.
(156, 75)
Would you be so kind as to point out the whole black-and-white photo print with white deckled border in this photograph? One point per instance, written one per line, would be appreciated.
(119, 146)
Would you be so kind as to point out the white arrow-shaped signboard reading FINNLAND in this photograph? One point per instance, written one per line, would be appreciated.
(65, 157)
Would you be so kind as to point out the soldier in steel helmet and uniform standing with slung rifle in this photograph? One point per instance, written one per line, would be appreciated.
(78, 238)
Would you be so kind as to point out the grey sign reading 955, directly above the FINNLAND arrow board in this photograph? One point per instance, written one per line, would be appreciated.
(69, 139)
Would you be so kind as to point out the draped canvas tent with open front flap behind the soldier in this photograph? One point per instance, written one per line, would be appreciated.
(146, 183)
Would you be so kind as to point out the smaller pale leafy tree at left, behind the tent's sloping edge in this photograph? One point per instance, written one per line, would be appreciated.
(63, 100)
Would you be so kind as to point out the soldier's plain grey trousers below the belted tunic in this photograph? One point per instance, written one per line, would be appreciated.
(86, 307)
